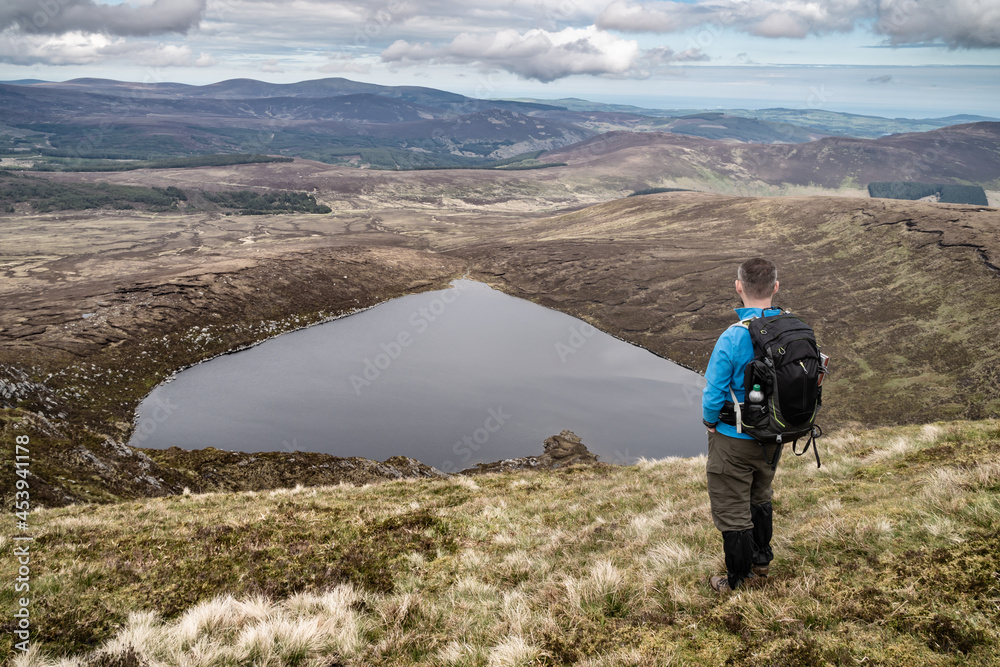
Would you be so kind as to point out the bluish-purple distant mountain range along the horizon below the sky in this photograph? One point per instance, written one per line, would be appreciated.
(340, 121)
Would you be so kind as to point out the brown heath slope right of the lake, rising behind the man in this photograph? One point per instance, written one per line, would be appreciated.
(903, 295)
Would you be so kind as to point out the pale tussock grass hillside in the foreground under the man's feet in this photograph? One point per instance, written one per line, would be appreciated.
(887, 555)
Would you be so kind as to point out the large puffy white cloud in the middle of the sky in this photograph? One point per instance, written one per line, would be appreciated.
(541, 55)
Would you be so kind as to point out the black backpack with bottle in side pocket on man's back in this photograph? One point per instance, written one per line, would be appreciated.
(789, 368)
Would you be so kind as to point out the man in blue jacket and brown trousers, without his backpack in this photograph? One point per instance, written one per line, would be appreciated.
(739, 476)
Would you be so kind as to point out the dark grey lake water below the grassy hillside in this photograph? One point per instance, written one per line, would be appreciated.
(451, 378)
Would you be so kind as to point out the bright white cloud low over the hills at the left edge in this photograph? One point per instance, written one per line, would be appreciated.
(79, 48)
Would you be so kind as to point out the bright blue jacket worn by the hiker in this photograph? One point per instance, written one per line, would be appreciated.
(733, 351)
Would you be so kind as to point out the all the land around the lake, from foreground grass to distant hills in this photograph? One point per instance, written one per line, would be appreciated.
(115, 280)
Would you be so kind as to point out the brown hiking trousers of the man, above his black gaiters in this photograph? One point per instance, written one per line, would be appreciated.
(738, 477)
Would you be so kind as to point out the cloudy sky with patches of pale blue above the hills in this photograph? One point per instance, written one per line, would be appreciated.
(913, 58)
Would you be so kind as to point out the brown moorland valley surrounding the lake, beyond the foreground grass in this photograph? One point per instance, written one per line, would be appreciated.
(101, 306)
